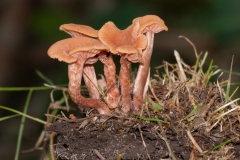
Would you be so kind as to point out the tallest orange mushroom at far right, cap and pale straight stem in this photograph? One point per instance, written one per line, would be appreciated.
(149, 25)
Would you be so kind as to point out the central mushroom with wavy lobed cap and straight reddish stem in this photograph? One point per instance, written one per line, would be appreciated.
(129, 45)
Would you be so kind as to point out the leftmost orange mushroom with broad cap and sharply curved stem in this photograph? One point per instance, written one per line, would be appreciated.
(76, 51)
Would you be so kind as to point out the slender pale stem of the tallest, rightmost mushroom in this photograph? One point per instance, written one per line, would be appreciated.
(140, 88)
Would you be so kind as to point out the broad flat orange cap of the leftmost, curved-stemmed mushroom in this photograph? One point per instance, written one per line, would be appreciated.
(64, 50)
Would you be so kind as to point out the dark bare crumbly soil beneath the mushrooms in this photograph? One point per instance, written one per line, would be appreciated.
(114, 139)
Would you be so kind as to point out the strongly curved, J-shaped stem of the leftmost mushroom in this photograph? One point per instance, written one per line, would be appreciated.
(75, 72)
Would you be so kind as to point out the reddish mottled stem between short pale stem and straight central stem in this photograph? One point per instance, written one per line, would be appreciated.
(113, 95)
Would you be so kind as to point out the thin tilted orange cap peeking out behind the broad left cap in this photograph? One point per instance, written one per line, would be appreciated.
(76, 30)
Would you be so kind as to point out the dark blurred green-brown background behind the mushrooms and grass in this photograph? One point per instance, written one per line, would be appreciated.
(28, 28)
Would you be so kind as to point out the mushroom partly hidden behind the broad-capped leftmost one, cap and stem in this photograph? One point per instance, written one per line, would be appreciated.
(89, 75)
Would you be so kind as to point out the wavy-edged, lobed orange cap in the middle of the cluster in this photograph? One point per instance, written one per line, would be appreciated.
(125, 42)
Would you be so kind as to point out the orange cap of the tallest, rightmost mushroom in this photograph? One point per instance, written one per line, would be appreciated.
(150, 23)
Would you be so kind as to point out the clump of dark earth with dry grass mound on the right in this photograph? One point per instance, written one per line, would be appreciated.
(181, 119)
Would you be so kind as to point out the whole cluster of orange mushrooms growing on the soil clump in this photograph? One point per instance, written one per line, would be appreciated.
(87, 46)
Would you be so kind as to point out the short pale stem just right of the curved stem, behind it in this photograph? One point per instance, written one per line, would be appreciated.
(91, 81)
